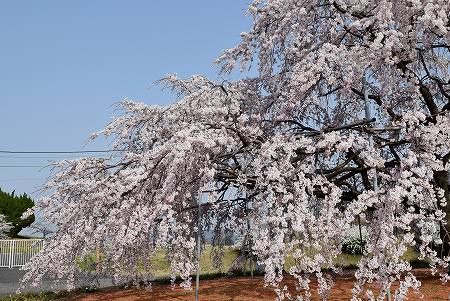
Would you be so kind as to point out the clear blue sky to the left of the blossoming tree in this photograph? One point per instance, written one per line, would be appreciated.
(63, 64)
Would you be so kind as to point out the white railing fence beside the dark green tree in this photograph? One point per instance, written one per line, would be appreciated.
(17, 252)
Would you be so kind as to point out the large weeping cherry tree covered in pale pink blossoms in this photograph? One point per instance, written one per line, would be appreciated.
(283, 157)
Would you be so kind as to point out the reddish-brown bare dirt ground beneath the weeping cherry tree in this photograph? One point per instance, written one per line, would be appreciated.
(242, 289)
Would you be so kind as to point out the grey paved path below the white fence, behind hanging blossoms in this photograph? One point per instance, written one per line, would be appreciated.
(10, 278)
